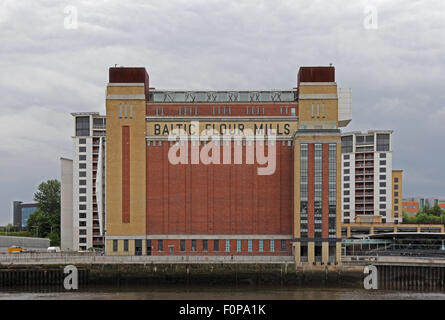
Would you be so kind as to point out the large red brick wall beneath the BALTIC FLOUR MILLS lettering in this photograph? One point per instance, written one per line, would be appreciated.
(217, 199)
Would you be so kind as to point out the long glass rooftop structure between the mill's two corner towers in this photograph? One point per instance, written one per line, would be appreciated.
(223, 96)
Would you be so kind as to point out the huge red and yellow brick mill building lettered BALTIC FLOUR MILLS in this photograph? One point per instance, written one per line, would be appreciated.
(156, 206)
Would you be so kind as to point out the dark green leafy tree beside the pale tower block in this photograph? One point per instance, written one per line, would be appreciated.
(45, 221)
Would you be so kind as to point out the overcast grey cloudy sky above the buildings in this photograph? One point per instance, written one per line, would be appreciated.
(396, 72)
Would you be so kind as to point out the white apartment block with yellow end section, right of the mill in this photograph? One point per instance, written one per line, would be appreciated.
(371, 189)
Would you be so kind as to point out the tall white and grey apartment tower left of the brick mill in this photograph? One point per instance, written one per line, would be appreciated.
(83, 183)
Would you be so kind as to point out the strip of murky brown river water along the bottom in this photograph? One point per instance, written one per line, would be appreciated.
(217, 293)
